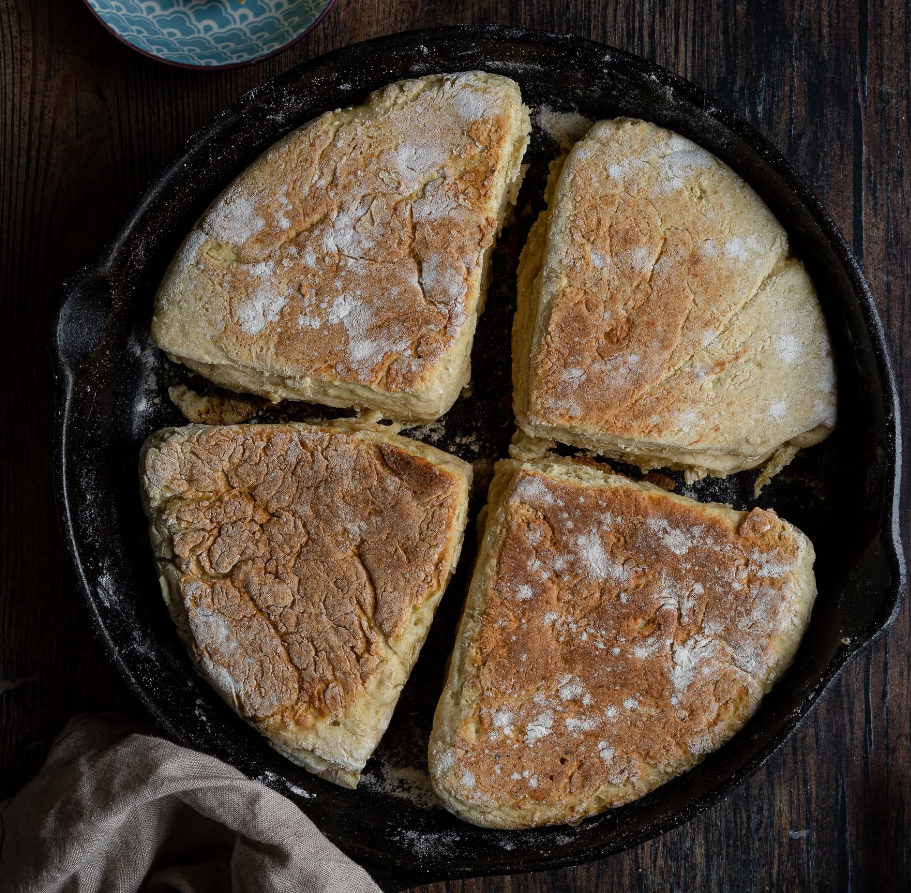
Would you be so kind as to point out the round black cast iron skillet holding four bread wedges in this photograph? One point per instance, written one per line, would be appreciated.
(112, 392)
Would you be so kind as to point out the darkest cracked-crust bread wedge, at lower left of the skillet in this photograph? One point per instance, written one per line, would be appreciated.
(302, 565)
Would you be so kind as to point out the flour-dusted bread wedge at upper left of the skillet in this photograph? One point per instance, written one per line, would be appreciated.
(348, 264)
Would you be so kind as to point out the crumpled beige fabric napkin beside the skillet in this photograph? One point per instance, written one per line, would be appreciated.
(116, 810)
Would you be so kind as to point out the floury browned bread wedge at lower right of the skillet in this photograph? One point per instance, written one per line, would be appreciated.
(613, 635)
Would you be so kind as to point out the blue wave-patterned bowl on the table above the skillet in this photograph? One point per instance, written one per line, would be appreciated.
(208, 32)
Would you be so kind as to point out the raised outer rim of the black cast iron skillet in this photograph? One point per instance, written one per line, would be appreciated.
(99, 274)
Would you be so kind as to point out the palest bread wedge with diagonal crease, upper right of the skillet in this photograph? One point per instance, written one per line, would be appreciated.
(661, 319)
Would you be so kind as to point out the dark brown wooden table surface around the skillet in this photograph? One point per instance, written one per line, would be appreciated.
(85, 123)
